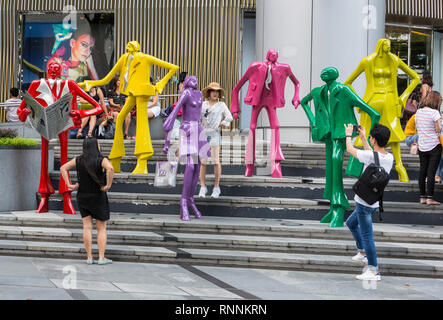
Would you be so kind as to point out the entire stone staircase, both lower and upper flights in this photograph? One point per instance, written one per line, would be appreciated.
(258, 222)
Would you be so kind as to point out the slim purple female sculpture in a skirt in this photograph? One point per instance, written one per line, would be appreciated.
(193, 145)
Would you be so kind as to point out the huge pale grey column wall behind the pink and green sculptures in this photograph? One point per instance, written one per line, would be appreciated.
(311, 35)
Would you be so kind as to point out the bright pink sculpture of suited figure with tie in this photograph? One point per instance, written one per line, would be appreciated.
(266, 90)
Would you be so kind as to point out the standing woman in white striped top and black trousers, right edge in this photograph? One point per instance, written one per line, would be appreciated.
(427, 123)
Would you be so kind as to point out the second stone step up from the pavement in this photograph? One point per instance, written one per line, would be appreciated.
(225, 242)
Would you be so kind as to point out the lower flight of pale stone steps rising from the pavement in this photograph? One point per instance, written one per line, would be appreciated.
(403, 250)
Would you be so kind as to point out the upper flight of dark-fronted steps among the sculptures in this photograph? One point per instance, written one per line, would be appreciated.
(296, 196)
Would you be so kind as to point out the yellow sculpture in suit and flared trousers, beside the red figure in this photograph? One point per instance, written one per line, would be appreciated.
(135, 69)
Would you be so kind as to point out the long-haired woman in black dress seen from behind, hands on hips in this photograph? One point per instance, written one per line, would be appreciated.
(92, 199)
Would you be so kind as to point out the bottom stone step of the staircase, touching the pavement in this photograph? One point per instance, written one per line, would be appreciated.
(218, 257)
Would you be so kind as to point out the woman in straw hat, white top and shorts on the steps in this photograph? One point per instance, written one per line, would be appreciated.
(213, 112)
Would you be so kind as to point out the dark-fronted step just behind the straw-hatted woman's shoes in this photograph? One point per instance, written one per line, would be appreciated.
(260, 186)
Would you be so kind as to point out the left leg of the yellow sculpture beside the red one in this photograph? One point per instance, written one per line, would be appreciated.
(118, 147)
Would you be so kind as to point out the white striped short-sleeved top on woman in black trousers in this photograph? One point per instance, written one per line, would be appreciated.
(425, 125)
